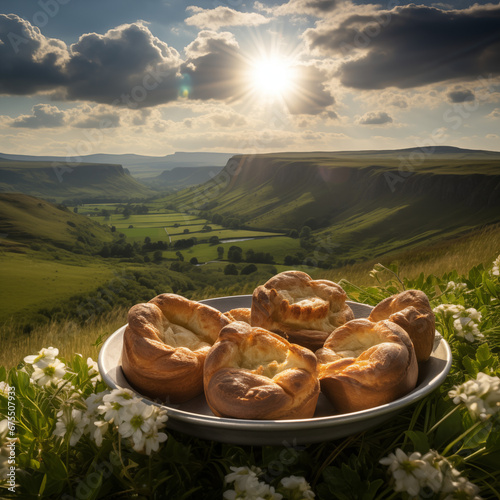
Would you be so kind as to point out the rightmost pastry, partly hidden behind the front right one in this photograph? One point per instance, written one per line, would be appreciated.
(412, 311)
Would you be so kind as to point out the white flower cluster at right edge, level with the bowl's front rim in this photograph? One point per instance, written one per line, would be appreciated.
(481, 396)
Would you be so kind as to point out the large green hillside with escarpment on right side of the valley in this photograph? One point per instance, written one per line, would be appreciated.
(358, 204)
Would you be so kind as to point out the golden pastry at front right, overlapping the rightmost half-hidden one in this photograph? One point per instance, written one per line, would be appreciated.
(365, 364)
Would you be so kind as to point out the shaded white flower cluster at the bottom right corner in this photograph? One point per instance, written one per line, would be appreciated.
(416, 474)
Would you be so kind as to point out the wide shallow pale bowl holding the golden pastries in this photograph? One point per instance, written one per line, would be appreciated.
(194, 417)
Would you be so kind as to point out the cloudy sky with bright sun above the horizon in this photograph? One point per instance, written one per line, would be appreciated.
(153, 77)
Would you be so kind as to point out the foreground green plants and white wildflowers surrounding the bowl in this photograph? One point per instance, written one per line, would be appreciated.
(74, 437)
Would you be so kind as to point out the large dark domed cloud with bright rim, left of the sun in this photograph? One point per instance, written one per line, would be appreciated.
(126, 66)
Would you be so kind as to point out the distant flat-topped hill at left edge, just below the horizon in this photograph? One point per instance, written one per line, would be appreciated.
(70, 183)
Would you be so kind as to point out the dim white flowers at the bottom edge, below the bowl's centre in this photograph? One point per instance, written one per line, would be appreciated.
(246, 486)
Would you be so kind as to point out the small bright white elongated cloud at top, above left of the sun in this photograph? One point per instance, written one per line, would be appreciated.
(221, 16)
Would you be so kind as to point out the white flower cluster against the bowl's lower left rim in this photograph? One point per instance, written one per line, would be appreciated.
(117, 410)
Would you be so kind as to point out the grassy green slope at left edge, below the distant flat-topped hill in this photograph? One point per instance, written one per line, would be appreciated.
(25, 220)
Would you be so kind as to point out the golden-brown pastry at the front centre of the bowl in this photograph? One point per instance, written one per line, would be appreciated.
(255, 374)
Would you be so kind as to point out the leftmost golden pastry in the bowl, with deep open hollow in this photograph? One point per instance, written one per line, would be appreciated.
(165, 345)
